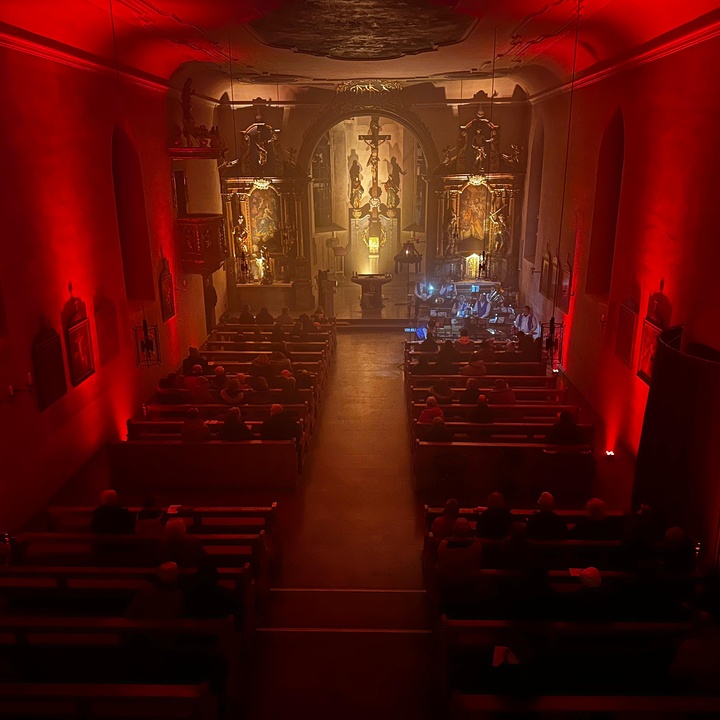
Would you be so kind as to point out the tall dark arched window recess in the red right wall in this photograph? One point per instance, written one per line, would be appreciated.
(607, 206)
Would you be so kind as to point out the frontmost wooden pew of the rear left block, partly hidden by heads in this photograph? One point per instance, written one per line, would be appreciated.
(198, 519)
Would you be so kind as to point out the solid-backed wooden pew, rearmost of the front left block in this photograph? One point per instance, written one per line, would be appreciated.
(168, 465)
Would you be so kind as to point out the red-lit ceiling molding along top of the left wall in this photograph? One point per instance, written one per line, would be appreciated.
(46, 49)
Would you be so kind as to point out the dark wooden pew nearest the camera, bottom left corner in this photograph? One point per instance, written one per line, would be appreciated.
(121, 701)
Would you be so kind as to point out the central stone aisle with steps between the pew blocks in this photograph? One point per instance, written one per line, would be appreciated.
(347, 632)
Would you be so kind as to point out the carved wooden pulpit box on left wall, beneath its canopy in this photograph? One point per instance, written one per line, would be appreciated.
(203, 247)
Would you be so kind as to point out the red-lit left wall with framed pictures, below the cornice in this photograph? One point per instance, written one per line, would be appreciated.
(58, 225)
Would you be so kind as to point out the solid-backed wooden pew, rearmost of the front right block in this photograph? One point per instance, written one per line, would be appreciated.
(462, 469)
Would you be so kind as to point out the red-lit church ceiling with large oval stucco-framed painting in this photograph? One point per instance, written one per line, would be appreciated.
(331, 40)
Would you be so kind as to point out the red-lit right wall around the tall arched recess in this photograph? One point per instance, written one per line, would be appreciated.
(668, 221)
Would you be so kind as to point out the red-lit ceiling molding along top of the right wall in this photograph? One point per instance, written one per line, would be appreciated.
(655, 50)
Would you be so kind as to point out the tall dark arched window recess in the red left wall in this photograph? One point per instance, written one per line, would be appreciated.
(132, 219)
